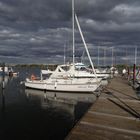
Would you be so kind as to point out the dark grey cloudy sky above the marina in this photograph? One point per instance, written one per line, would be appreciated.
(37, 31)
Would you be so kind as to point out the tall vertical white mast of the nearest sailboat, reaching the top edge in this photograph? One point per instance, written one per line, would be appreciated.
(73, 34)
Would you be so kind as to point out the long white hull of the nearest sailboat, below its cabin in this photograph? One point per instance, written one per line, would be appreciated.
(64, 87)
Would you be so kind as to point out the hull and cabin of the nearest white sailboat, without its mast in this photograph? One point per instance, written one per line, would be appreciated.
(60, 80)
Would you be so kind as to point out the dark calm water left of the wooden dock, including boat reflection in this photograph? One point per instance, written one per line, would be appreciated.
(27, 114)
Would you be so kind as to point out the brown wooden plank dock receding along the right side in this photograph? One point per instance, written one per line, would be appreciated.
(114, 116)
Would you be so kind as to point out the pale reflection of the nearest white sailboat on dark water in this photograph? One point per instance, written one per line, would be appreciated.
(62, 101)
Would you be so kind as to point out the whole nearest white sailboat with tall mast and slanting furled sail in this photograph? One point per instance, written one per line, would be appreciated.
(62, 80)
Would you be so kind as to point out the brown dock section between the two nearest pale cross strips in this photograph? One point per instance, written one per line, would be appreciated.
(111, 121)
